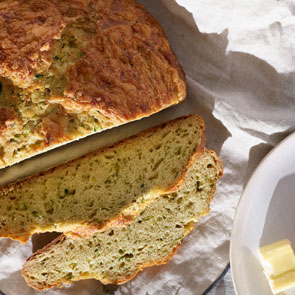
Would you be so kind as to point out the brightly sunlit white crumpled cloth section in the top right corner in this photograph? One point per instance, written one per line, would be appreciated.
(262, 28)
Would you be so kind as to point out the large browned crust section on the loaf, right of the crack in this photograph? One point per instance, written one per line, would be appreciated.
(122, 72)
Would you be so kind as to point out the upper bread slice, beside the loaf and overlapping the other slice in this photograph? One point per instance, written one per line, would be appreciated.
(109, 186)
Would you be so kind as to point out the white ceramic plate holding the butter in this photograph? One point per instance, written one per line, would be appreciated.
(266, 213)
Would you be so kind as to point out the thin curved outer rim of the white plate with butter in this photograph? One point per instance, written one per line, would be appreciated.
(242, 197)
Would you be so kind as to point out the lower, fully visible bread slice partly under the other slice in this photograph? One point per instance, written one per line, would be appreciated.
(118, 254)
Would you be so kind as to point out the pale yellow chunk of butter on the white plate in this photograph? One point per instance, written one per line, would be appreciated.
(278, 262)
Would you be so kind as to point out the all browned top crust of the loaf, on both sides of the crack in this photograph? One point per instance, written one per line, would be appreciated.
(125, 69)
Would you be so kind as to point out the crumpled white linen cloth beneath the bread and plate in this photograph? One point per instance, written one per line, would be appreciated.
(238, 57)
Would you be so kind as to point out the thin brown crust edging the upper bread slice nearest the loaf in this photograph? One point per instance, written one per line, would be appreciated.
(117, 220)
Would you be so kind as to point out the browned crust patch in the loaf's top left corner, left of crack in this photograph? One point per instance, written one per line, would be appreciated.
(28, 30)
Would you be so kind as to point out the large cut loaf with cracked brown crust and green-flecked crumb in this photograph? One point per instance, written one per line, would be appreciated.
(70, 68)
